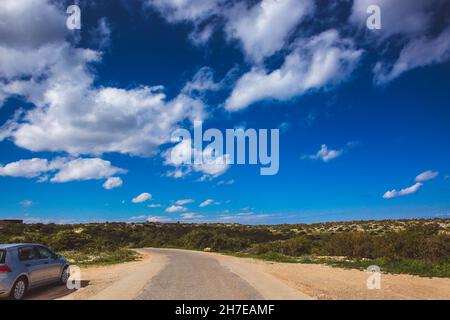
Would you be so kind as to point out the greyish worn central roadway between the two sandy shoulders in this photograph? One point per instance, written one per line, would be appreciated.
(201, 276)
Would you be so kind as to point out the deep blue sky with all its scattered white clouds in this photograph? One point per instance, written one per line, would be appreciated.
(86, 115)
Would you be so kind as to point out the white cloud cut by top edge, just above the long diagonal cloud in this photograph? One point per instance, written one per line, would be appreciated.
(261, 28)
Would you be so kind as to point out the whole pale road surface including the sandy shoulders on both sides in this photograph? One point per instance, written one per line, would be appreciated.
(181, 274)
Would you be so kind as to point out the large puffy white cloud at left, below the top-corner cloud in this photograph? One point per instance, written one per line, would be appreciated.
(80, 120)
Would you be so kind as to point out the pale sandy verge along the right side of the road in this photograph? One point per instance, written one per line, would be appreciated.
(325, 282)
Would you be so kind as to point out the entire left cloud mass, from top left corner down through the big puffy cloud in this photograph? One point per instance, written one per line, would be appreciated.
(71, 114)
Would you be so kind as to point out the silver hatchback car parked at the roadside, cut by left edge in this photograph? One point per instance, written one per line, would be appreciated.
(26, 266)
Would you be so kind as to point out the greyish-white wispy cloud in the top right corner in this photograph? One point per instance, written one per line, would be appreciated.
(417, 29)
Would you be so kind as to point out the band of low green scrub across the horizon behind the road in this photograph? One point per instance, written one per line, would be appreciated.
(402, 246)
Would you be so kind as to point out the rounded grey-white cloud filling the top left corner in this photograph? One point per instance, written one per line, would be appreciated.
(27, 45)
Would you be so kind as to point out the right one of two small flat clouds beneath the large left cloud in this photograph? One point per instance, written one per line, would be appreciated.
(86, 169)
